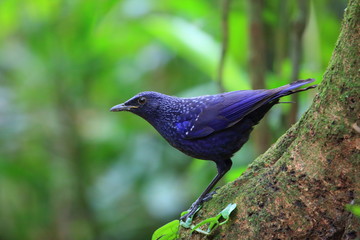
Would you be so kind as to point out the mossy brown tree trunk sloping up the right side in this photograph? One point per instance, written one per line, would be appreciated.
(299, 188)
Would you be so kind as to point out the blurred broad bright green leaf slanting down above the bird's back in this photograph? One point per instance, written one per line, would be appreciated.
(196, 46)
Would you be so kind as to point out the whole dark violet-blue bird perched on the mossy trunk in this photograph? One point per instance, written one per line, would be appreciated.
(210, 127)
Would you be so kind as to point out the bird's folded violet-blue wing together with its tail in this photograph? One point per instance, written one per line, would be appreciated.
(224, 110)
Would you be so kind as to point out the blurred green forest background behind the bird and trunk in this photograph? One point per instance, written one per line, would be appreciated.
(70, 169)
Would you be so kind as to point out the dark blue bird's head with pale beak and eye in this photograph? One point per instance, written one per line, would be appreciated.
(144, 104)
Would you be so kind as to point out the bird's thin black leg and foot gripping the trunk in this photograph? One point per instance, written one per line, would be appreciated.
(222, 168)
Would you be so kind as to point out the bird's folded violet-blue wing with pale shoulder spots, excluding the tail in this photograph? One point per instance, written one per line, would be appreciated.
(224, 111)
